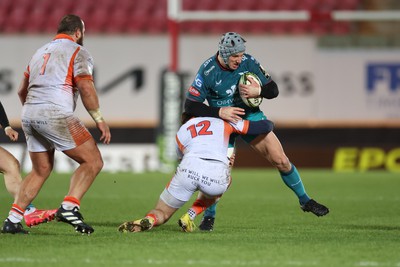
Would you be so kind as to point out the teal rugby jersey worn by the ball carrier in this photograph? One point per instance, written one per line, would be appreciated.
(219, 86)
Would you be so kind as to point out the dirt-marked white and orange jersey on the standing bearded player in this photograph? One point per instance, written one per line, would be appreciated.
(54, 70)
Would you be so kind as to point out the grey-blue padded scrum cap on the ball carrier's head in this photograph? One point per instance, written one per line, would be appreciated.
(231, 43)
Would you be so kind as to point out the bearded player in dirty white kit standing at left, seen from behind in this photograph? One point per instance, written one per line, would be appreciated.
(57, 74)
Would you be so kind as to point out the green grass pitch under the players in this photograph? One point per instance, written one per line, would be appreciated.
(259, 223)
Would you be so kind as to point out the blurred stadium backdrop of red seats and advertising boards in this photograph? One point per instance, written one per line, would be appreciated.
(339, 80)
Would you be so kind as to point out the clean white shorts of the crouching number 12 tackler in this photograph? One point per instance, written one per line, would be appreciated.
(211, 177)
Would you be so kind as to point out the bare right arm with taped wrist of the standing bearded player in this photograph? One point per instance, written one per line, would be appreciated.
(91, 102)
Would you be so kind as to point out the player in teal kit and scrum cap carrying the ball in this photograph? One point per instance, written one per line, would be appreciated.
(217, 82)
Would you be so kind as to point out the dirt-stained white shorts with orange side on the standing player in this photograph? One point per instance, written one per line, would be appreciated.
(46, 127)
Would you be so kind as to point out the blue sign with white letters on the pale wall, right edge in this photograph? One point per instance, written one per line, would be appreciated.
(383, 74)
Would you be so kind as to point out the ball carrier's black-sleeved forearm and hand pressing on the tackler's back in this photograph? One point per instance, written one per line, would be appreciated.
(231, 114)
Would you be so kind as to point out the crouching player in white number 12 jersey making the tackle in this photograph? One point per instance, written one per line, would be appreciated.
(202, 146)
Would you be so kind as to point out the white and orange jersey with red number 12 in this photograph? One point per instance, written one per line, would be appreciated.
(206, 137)
